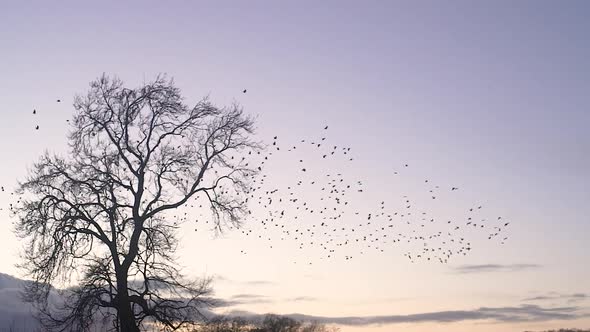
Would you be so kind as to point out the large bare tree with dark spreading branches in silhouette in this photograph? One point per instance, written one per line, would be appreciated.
(103, 211)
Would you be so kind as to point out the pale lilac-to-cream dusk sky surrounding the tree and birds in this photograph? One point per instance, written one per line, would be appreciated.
(491, 97)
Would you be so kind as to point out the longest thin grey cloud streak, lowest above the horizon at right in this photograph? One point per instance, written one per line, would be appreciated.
(523, 313)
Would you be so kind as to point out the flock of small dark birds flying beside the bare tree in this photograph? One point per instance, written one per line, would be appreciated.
(329, 212)
